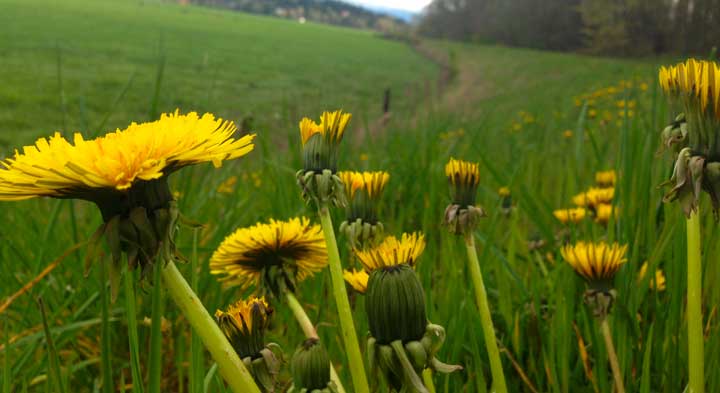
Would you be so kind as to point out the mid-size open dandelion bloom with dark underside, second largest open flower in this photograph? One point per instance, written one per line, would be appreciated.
(277, 254)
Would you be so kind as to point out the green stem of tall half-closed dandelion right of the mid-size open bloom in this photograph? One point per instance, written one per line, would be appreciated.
(352, 347)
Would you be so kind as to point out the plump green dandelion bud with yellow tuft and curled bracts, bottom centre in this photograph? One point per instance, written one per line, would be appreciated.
(402, 343)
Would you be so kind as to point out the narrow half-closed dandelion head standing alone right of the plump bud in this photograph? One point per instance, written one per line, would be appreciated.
(462, 215)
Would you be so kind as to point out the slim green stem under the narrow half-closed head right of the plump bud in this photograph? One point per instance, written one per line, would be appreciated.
(485, 318)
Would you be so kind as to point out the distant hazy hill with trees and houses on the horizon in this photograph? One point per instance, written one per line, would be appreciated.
(323, 11)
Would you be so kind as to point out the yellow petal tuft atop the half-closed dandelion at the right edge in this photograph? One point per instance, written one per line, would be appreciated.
(694, 80)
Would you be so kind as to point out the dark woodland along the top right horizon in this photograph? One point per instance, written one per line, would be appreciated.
(619, 27)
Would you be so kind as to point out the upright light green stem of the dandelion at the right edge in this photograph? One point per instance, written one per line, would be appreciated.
(696, 363)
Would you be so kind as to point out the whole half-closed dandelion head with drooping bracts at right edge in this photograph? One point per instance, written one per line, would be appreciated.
(695, 84)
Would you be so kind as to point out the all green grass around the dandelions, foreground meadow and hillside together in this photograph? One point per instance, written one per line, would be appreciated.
(93, 66)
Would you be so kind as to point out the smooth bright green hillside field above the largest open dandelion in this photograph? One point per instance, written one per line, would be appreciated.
(92, 65)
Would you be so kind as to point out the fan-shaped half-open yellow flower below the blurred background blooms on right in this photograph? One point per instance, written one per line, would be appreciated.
(595, 261)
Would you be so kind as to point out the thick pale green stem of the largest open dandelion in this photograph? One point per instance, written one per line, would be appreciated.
(230, 365)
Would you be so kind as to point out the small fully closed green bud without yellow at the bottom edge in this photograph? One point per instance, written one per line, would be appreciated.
(311, 368)
